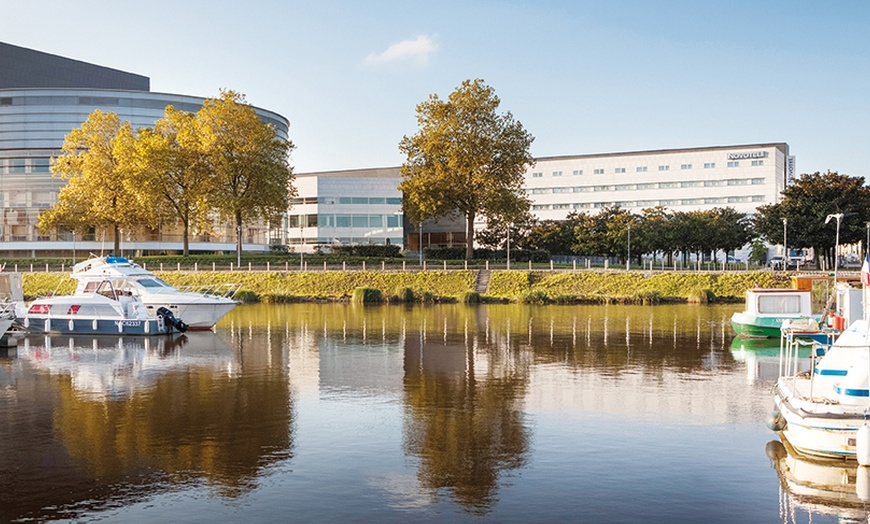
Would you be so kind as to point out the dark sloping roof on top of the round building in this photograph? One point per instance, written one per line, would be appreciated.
(26, 68)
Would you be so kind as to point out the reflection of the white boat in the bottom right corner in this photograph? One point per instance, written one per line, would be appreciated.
(818, 487)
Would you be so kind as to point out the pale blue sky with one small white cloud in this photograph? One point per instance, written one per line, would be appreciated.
(583, 77)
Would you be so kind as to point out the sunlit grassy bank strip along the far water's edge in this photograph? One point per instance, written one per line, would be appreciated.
(538, 287)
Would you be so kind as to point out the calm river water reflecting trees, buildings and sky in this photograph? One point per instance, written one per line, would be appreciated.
(442, 413)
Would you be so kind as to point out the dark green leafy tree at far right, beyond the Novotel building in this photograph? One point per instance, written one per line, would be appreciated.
(807, 202)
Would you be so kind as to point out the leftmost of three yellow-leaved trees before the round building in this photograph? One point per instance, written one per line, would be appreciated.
(98, 193)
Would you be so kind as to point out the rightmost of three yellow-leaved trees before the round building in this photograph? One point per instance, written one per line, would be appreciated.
(253, 179)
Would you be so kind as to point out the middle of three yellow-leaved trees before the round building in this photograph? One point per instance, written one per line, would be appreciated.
(172, 172)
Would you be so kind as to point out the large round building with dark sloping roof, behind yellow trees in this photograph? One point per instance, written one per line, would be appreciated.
(42, 98)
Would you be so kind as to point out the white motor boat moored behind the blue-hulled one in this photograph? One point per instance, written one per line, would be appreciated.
(200, 308)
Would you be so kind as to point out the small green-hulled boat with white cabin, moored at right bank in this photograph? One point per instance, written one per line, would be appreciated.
(767, 309)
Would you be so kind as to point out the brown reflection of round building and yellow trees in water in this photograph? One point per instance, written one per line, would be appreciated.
(134, 416)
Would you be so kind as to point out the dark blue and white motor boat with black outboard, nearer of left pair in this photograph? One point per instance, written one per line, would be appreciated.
(102, 310)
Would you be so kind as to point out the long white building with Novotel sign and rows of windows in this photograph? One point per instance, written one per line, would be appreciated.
(743, 177)
